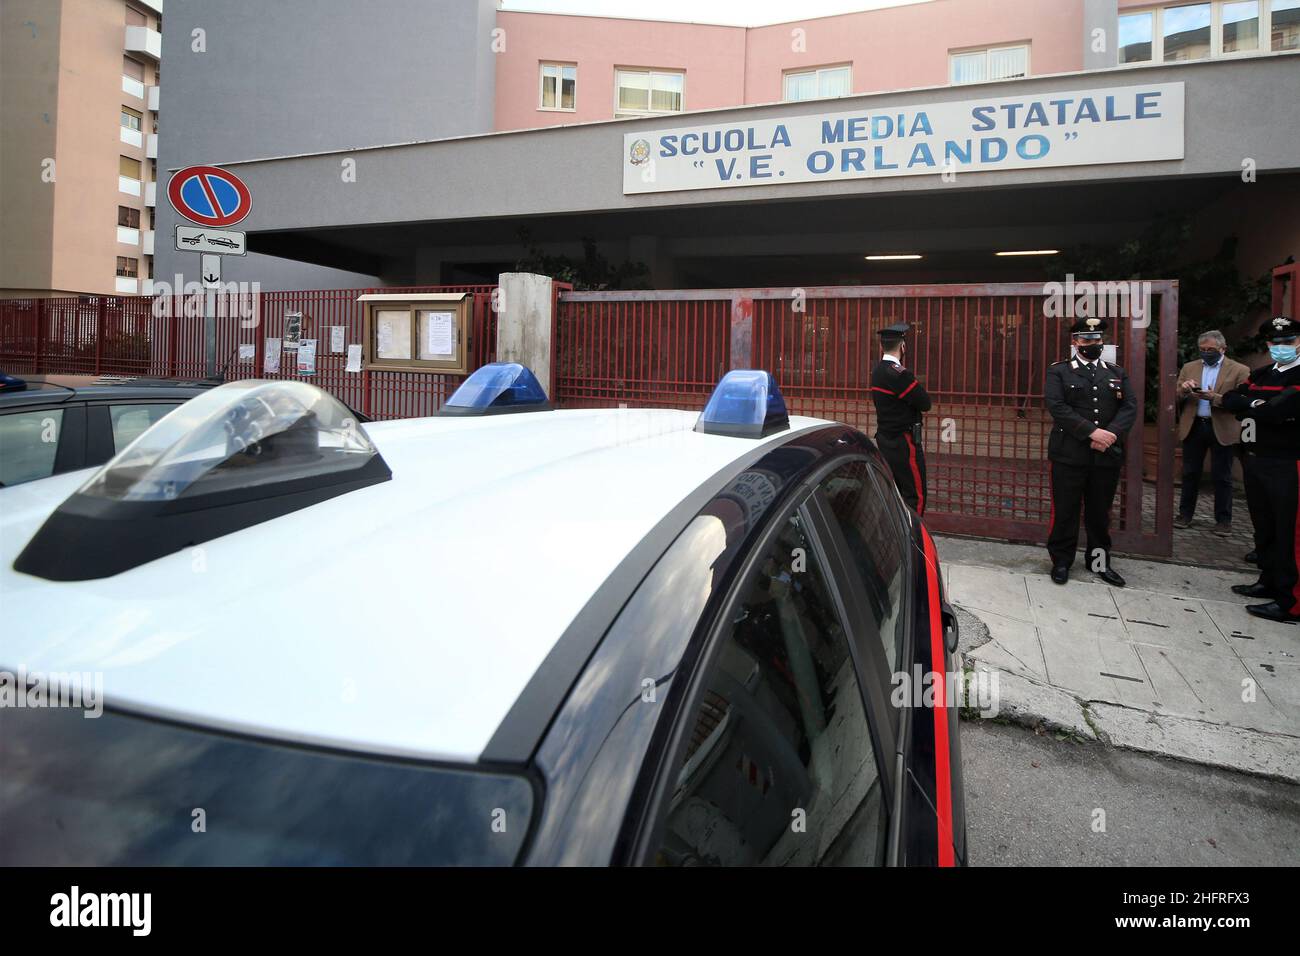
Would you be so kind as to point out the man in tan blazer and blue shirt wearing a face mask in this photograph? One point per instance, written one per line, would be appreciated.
(1204, 426)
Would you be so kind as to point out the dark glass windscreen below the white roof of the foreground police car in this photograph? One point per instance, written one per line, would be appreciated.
(125, 791)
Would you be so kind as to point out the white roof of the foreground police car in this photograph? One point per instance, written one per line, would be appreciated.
(401, 618)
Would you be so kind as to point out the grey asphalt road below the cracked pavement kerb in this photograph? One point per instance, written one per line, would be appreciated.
(1033, 801)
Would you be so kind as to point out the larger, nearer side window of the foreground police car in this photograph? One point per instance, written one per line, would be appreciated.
(779, 767)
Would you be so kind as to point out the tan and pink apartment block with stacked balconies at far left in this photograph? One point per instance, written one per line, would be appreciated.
(80, 88)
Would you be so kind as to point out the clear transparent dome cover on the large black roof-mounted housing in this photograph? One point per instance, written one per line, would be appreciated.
(240, 435)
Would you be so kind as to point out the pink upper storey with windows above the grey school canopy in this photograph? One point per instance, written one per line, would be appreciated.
(565, 70)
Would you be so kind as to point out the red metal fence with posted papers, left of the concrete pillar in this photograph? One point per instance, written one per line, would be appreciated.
(163, 336)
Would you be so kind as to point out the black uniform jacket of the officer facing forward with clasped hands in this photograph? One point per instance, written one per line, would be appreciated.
(1081, 405)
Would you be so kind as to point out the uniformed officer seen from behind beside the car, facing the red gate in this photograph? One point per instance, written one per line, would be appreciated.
(900, 400)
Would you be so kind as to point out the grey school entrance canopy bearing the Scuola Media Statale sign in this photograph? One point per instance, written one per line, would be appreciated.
(800, 193)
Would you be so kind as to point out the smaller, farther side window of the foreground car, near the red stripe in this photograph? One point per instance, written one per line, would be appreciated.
(876, 538)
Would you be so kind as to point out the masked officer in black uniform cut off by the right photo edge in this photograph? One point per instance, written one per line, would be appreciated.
(1268, 404)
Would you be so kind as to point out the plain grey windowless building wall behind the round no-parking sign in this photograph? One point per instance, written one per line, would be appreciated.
(302, 76)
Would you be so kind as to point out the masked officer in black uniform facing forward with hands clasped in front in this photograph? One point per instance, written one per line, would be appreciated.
(1093, 409)
